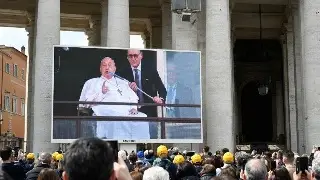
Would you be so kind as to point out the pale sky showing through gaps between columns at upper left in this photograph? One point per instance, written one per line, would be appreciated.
(18, 37)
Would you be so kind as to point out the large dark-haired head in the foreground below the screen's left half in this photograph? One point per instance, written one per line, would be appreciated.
(89, 158)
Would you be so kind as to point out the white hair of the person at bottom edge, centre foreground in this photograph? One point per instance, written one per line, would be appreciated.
(156, 173)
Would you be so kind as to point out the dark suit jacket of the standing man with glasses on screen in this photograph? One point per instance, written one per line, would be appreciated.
(151, 84)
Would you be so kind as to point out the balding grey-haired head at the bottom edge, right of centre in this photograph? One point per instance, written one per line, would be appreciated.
(255, 169)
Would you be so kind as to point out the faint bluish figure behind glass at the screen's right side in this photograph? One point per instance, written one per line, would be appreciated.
(180, 94)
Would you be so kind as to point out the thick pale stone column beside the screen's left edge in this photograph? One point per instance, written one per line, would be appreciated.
(47, 35)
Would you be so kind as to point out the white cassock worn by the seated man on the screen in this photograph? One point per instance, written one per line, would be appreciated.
(118, 91)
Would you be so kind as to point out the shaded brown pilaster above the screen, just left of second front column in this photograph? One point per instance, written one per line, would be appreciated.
(94, 33)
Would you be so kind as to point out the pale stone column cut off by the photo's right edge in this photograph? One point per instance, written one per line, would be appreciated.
(311, 71)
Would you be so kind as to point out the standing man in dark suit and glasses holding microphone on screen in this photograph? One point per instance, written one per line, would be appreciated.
(149, 81)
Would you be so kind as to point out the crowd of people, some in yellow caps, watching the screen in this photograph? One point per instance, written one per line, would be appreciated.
(94, 159)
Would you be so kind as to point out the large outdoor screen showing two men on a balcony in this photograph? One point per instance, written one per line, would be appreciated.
(152, 85)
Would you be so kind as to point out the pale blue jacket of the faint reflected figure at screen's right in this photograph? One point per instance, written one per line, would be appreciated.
(184, 95)
